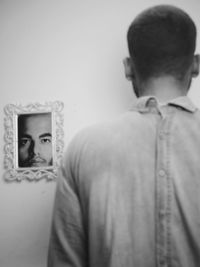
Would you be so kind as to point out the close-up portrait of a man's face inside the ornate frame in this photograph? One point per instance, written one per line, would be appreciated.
(35, 140)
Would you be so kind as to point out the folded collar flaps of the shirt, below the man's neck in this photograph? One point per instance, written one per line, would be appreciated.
(143, 103)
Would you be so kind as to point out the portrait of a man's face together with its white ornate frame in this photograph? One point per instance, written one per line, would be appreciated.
(34, 140)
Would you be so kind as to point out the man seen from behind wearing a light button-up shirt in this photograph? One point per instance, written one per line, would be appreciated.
(129, 191)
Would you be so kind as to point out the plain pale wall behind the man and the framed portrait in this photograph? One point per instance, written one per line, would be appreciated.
(69, 50)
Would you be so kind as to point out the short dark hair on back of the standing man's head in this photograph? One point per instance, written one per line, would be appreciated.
(161, 41)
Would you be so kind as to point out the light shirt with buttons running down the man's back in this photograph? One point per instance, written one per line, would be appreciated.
(128, 193)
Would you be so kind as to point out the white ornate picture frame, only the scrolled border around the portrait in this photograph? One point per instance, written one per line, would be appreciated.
(12, 111)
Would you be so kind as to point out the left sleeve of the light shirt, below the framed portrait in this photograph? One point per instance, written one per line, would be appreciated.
(68, 244)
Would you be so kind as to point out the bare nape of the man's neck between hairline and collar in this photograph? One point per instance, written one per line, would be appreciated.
(164, 89)
